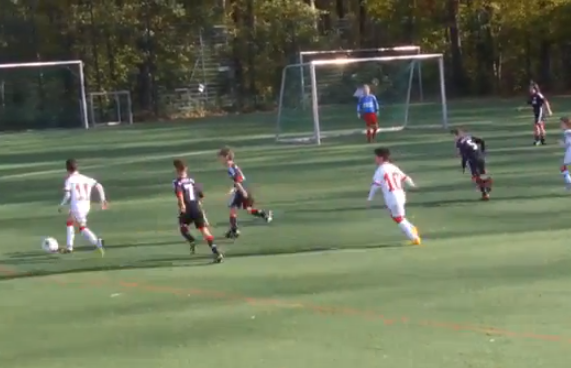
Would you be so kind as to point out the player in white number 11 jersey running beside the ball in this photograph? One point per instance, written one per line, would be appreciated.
(77, 191)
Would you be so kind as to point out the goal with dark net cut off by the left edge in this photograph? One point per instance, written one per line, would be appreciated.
(42, 95)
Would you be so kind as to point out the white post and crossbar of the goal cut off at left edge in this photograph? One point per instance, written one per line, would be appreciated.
(45, 66)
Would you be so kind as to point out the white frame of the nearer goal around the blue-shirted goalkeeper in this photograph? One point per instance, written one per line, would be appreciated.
(312, 65)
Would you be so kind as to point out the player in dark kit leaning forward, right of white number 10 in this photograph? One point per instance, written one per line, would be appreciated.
(472, 151)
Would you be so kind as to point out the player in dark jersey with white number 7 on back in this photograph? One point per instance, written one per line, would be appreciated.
(189, 197)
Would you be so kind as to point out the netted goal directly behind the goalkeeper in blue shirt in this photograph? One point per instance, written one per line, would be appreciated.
(329, 109)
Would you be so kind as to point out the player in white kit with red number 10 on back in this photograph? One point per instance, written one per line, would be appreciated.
(390, 179)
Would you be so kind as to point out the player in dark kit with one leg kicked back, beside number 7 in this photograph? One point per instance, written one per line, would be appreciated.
(241, 196)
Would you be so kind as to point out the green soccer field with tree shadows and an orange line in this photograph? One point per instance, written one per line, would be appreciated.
(329, 284)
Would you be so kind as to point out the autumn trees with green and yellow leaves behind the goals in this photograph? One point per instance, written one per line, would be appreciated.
(153, 47)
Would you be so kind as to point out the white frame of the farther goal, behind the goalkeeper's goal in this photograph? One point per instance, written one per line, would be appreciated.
(312, 55)
